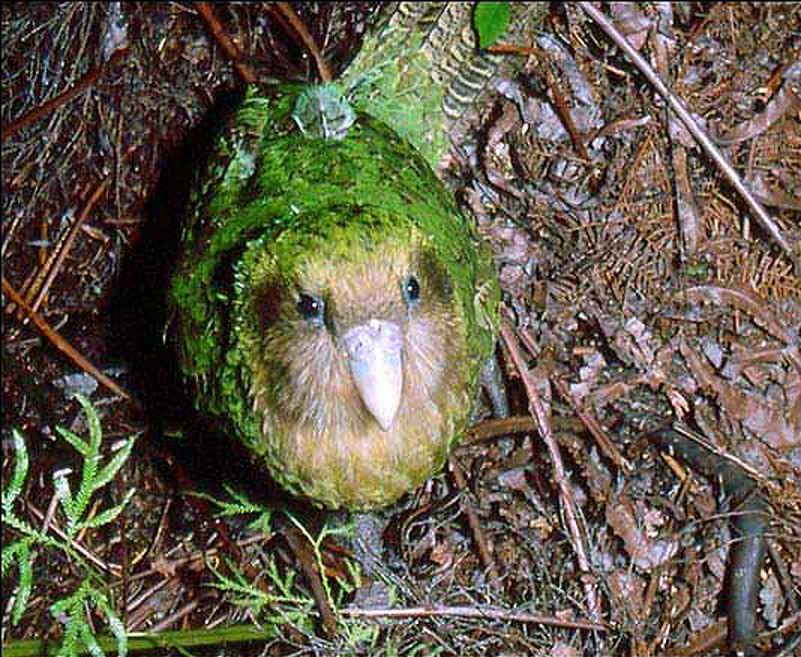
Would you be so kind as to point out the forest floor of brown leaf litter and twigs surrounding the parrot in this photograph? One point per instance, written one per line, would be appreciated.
(650, 346)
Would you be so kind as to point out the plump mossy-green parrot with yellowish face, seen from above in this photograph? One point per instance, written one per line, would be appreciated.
(332, 308)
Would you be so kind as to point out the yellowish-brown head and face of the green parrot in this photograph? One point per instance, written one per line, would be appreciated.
(356, 341)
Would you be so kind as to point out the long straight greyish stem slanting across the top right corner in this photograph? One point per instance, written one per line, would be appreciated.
(695, 130)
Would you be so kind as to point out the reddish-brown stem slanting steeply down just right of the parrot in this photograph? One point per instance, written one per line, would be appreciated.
(568, 503)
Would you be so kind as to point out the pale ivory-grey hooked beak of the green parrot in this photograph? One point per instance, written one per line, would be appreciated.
(374, 355)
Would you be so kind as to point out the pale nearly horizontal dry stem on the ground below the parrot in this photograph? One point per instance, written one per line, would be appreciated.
(483, 612)
